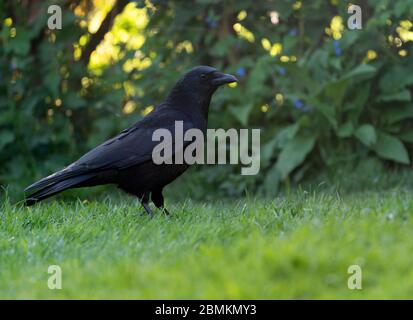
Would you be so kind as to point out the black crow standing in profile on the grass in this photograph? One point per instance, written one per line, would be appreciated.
(126, 160)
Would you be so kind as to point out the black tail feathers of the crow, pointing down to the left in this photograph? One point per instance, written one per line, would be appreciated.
(57, 187)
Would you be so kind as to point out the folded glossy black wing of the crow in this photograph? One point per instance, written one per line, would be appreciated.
(132, 146)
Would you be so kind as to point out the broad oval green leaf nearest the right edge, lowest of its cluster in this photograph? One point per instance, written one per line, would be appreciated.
(391, 148)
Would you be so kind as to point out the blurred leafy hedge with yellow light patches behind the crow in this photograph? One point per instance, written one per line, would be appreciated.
(332, 103)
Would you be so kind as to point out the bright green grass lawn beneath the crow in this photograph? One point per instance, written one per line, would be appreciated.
(295, 246)
